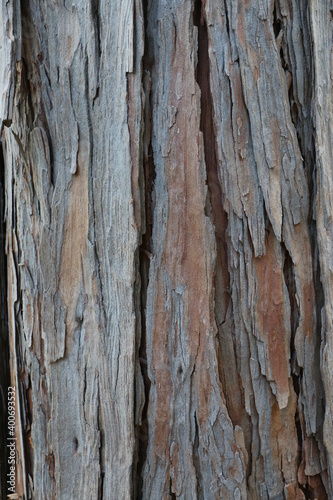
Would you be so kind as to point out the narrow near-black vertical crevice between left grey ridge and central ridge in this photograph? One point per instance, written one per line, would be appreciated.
(149, 175)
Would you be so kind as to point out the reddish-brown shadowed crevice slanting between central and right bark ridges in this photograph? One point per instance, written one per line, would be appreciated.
(229, 378)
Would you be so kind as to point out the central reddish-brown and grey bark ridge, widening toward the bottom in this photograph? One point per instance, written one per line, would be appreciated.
(191, 434)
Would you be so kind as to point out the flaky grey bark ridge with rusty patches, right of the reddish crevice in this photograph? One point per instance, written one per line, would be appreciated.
(232, 48)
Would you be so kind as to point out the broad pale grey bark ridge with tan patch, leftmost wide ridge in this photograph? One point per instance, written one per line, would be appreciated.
(76, 280)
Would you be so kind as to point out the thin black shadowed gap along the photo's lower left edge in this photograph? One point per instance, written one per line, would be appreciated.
(4, 335)
